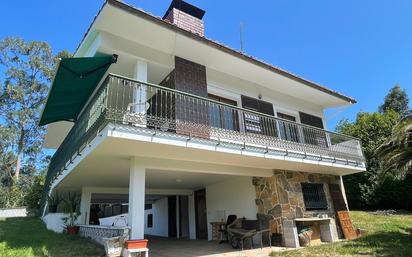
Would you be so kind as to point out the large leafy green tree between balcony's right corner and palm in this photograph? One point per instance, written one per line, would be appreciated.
(372, 129)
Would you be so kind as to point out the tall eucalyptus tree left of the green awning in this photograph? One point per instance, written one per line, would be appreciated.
(26, 70)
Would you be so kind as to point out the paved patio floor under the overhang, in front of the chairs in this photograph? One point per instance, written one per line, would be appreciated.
(169, 247)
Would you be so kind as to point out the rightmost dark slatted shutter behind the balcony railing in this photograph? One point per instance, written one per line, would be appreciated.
(313, 136)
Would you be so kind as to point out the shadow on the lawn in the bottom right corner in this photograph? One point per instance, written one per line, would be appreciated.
(384, 244)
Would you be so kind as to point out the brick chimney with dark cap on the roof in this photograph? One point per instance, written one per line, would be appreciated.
(186, 16)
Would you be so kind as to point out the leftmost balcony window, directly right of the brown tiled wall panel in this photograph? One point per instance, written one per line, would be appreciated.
(222, 116)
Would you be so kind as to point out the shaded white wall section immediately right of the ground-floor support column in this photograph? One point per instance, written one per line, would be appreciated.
(160, 219)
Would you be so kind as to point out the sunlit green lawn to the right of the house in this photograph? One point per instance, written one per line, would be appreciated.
(387, 236)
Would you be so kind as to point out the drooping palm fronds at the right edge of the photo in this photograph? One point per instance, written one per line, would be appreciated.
(396, 151)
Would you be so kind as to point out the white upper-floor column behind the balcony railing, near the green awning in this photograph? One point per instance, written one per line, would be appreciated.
(140, 92)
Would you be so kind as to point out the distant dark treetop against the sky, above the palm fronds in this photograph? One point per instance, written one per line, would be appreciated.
(396, 100)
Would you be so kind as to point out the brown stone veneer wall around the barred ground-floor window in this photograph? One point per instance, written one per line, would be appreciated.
(280, 196)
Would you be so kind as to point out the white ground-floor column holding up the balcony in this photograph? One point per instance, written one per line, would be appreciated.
(136, 199)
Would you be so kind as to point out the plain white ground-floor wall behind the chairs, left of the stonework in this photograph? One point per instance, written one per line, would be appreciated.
(233, 196)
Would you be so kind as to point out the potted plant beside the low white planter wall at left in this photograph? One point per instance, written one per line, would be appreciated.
(71, 202)
